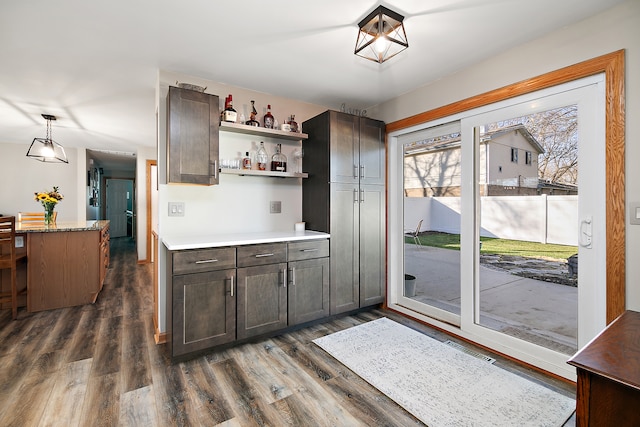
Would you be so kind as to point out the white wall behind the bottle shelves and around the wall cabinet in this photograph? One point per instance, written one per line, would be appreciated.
(239, 203)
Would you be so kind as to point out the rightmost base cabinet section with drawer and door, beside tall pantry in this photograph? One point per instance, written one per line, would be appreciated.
(308, 288)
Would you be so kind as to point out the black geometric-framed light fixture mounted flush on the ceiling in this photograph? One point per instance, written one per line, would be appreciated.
(381, 35)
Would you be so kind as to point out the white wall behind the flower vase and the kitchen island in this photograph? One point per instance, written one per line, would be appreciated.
(21, 177)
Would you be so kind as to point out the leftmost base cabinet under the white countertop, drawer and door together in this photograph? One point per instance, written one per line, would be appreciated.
(201, 306)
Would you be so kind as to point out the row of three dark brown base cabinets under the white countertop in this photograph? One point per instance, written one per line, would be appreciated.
(221, 295)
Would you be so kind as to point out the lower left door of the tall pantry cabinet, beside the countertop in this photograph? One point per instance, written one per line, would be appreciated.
(344, 281)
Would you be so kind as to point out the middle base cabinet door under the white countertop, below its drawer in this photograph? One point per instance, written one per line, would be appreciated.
(262, 299)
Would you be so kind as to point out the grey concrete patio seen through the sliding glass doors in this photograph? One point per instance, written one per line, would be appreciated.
(537, 311)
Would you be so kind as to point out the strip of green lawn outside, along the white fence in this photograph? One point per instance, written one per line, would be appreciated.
(492, 245)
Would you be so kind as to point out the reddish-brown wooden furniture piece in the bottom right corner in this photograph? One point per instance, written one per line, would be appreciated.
(608, 368)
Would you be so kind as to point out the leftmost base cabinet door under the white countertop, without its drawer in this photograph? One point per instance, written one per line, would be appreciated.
(204, 311)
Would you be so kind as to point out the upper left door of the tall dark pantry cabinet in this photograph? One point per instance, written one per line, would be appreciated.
(344, 151)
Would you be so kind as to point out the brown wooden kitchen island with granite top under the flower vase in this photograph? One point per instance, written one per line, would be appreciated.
(66, 262)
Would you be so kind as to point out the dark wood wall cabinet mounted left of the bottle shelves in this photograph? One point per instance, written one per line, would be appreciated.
(192, 137)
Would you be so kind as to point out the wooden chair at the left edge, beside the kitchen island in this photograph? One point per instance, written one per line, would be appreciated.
(9, 257)
